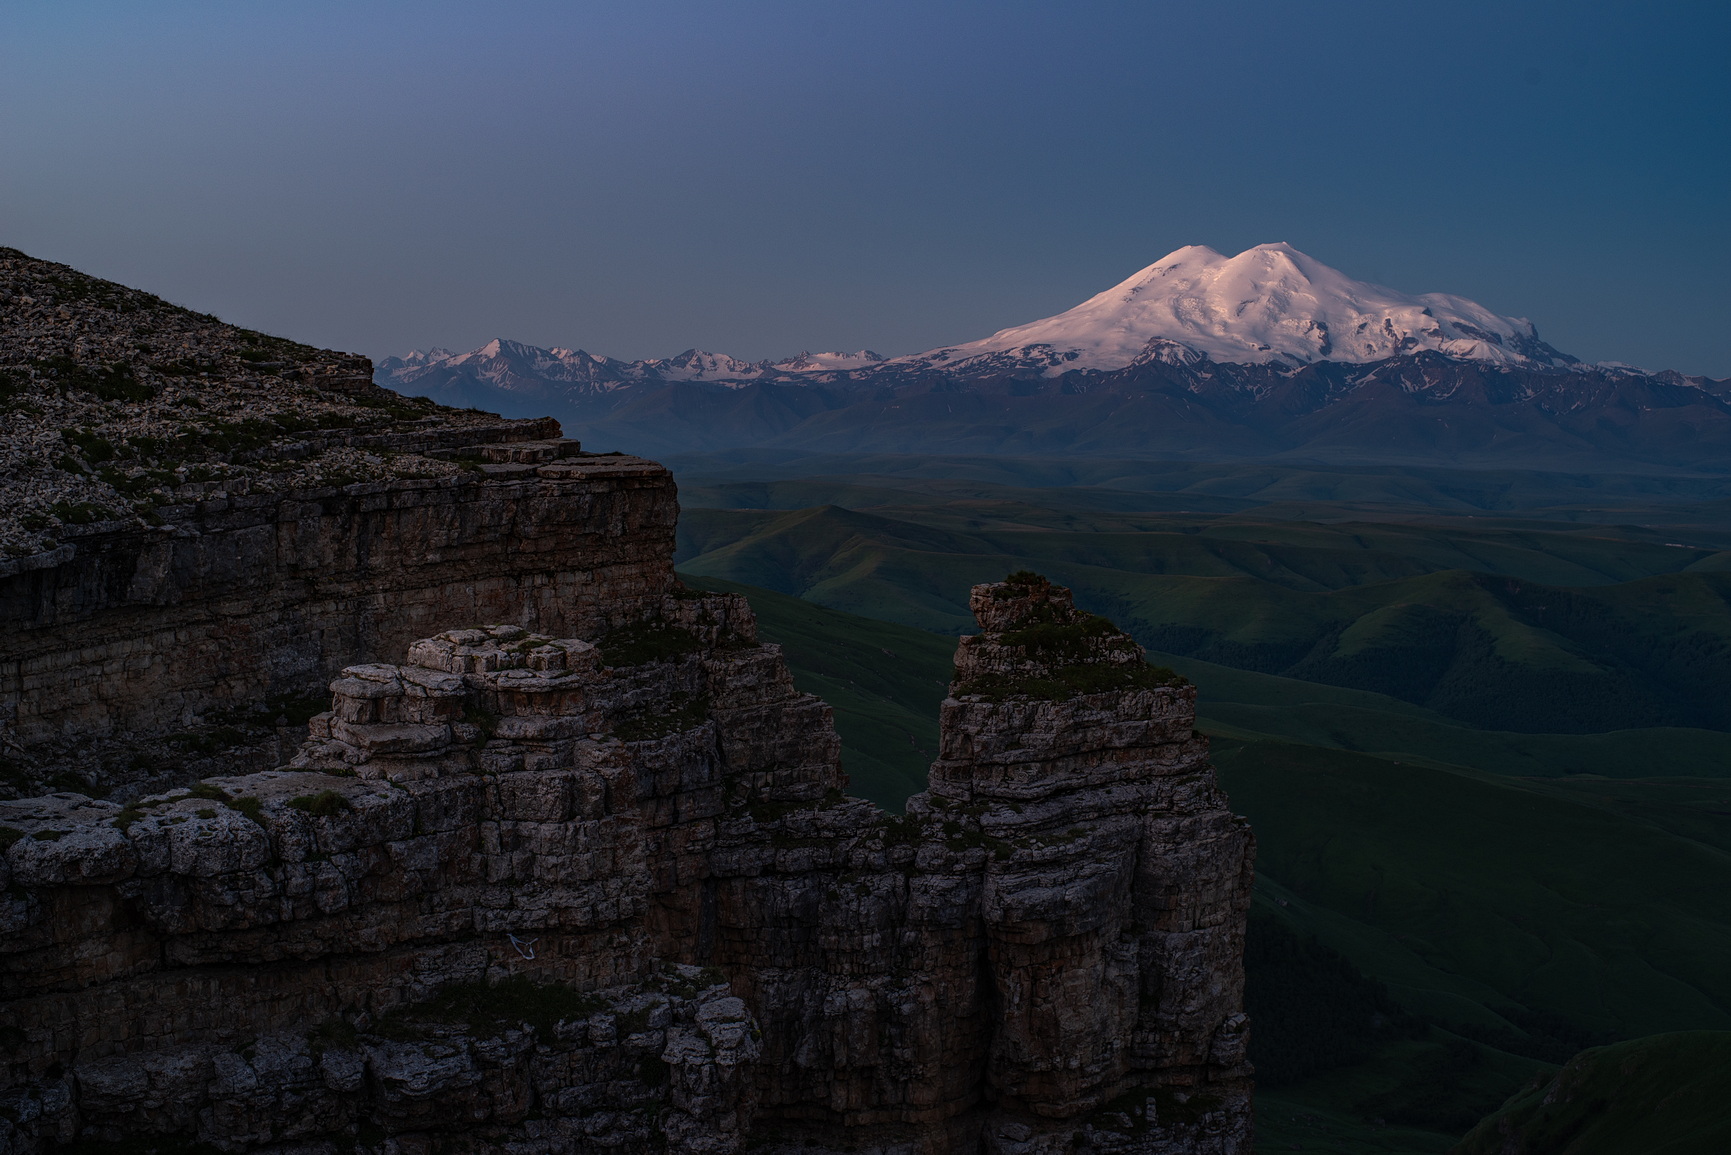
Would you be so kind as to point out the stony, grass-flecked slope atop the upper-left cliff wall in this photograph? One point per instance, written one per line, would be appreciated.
(117, 404)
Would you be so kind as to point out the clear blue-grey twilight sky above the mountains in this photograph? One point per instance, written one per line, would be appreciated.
(766, 177)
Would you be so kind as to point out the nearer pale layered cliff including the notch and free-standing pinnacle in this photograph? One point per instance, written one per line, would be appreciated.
(605, 893)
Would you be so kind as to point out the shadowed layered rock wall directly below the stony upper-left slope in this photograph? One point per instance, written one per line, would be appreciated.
(136, 648)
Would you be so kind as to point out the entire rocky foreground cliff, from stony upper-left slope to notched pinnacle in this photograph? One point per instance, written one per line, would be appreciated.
(569, 863)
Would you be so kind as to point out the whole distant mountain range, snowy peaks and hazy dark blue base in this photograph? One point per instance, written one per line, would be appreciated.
(1268, 354)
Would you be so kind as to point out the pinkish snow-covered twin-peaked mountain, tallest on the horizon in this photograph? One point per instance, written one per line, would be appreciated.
(1270, 304)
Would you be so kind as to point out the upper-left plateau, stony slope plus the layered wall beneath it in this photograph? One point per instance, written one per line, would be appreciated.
(202, 524)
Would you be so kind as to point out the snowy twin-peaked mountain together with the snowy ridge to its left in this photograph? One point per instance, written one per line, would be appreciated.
(1270, 306)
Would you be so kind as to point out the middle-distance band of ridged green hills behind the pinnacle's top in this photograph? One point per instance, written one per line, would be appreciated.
(1642, 638)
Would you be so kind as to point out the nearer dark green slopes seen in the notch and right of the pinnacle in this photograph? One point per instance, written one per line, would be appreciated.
(1505, 919)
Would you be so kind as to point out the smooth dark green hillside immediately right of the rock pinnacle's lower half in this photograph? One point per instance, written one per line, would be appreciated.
(1484, 905)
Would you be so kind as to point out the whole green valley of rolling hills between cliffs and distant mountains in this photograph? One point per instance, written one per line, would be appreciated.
(1484, 756)
